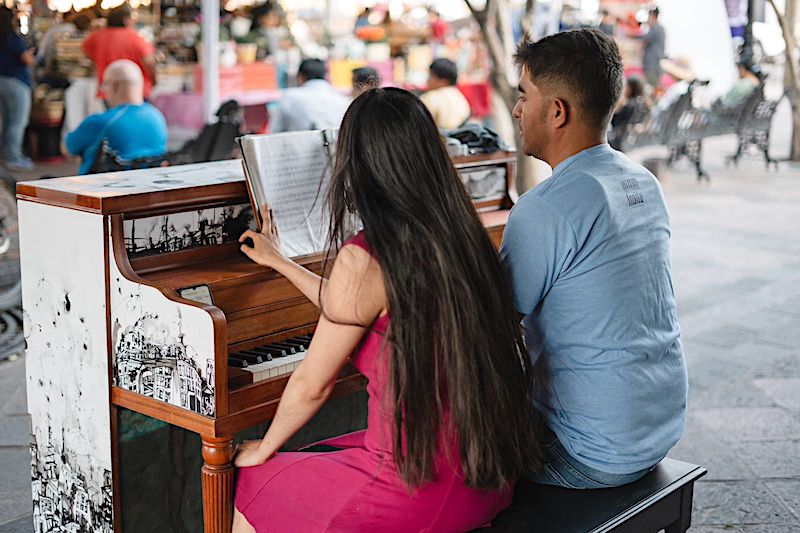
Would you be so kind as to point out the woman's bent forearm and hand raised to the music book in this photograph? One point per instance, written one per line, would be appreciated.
(266, 251)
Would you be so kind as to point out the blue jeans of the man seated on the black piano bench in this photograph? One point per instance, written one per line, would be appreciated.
(560, 469)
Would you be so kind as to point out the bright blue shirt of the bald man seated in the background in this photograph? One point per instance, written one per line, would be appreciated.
(132, 131)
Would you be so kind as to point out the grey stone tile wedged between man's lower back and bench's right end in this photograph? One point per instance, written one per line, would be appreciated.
(700, 447)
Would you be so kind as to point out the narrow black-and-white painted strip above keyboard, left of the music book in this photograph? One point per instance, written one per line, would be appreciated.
(188, 229)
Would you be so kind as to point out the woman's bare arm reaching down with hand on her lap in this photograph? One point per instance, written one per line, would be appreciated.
(354, 294)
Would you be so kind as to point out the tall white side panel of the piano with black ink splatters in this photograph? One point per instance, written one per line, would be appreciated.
(63, 295)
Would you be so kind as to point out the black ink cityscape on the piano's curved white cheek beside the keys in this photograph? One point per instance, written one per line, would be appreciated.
(149, 362)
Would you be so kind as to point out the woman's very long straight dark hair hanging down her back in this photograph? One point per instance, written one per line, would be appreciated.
(457, 353)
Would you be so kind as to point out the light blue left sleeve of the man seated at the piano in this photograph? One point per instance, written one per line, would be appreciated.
(538, 244)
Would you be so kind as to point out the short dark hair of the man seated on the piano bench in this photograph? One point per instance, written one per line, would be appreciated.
(582, 65)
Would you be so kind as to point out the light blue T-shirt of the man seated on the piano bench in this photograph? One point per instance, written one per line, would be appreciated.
(588, 255)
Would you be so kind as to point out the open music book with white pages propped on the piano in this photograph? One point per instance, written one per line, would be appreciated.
(290, 172)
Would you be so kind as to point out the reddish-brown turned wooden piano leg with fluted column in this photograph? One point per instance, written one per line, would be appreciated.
(217, 476)
